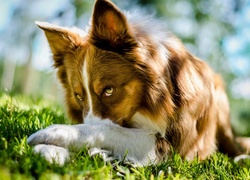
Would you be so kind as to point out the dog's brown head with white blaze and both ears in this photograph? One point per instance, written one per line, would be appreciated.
(106, 72)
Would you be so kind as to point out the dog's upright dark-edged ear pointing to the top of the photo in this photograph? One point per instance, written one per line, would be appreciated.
(109, 27)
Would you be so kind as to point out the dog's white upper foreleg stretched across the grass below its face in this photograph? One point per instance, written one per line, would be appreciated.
(139, 145)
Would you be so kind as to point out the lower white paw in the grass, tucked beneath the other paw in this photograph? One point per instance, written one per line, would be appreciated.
(53, 154)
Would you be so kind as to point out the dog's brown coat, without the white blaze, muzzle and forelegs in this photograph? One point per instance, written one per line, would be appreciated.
(158, 78)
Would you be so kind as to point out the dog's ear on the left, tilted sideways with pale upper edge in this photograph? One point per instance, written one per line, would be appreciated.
(62, 40)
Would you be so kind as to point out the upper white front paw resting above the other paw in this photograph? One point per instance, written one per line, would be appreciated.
(58, 135)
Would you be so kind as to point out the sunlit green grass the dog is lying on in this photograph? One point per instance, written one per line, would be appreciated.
(20, 116)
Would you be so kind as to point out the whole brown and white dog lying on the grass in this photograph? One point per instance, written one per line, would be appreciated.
(137, 91)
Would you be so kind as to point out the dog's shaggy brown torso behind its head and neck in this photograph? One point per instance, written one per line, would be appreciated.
(201, 121)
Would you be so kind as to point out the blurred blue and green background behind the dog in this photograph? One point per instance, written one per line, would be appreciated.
(218, 31)
